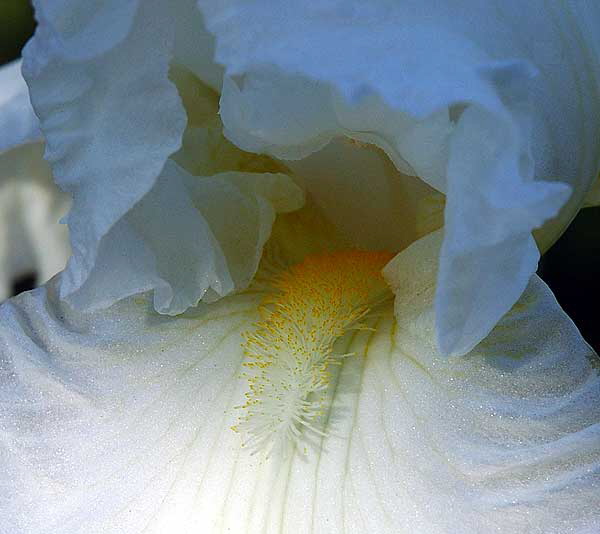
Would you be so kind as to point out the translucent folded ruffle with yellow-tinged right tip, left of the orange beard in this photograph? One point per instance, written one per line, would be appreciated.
(187, 236)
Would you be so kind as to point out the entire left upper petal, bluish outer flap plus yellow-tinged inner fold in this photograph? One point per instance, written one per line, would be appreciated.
(114, 106)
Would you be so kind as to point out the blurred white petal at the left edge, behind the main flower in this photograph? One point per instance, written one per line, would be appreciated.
(32, 243)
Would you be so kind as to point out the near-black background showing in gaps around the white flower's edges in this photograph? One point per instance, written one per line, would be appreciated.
(571, 268)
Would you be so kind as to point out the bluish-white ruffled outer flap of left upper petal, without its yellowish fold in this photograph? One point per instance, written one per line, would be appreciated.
(99, 81)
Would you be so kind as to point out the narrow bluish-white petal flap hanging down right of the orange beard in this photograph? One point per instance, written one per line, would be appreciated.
(488, 255)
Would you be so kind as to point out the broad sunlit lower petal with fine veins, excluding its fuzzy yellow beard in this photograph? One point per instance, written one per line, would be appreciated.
(119, 421)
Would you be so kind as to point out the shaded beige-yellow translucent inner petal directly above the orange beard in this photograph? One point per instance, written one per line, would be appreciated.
(371, 203)
